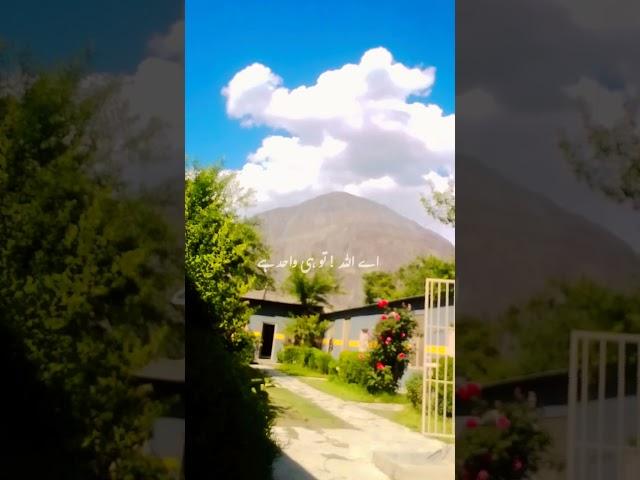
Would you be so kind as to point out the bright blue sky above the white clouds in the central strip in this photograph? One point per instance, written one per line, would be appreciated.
(299, 41)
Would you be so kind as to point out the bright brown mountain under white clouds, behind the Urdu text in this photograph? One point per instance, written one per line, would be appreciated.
(342, 224)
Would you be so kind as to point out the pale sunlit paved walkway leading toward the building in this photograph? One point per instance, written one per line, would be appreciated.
(340, 454)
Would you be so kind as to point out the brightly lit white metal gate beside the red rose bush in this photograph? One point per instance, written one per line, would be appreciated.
(438, 372)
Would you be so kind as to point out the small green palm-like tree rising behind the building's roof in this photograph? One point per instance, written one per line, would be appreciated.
(312, 290)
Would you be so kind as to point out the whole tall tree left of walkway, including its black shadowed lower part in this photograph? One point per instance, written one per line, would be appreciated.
(221, 256)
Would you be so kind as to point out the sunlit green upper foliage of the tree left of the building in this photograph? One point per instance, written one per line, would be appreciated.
(221, 251)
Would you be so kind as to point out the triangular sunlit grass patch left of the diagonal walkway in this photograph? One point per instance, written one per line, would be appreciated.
(294, 411)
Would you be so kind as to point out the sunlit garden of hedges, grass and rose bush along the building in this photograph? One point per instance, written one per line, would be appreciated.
(367, 377)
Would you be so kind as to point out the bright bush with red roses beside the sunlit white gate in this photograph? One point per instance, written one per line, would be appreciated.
(389, 355)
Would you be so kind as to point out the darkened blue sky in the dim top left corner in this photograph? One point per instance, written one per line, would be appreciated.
(117, 32)
